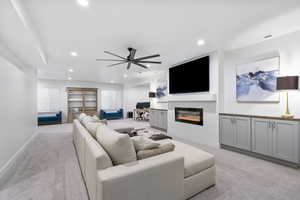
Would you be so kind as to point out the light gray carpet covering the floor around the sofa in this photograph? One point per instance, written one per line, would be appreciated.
(50, 171)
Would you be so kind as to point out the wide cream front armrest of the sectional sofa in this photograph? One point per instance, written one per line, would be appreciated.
(156, 178)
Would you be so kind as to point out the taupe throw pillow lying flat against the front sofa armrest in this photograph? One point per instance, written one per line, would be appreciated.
(164, 148)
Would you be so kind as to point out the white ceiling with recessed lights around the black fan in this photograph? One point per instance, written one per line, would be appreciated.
(52, 28)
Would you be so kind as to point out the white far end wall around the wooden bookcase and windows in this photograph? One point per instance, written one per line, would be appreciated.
(62, 85)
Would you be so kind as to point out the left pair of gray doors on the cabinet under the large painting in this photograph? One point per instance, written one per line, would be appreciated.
(236, 132)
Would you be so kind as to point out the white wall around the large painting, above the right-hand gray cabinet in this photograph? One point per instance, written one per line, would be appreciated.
(287, 47)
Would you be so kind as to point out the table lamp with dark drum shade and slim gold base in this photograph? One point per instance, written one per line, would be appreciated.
(287, 83)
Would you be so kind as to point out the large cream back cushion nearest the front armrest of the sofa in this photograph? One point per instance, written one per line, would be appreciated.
(119, 146)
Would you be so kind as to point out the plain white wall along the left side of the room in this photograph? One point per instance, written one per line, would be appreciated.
(18, 117)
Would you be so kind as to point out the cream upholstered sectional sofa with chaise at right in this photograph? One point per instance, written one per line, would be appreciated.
(176, 175)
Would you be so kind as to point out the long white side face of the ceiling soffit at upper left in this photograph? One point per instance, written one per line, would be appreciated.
(28, 25)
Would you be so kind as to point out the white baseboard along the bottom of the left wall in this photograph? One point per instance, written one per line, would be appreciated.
(10, 166)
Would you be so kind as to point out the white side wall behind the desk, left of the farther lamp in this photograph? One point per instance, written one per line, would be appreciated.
(134, 94)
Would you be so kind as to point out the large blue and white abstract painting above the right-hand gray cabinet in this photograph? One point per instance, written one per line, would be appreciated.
(256, 82)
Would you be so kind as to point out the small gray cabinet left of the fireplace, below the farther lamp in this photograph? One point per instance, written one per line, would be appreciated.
(159, 118)
